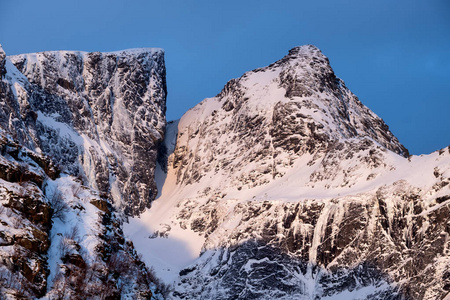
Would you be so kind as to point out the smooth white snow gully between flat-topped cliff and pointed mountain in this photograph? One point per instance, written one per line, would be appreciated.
(166, 255)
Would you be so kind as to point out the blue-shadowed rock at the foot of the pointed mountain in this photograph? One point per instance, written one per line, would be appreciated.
(255, 270)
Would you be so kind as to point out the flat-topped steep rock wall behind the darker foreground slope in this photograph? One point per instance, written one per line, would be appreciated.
(100, 115)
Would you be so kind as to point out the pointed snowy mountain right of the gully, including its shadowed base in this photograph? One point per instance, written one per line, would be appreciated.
(286, 186)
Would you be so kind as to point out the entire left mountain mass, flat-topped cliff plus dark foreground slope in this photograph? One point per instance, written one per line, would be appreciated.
(76, 130)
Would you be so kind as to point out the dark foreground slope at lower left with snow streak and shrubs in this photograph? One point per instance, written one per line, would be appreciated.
(60, 239)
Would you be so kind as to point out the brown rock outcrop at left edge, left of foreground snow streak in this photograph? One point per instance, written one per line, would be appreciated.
(25, 220)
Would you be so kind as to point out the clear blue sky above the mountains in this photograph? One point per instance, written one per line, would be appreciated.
(394, 55)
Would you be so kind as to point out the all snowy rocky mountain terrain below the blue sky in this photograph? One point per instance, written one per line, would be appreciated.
(283, 186)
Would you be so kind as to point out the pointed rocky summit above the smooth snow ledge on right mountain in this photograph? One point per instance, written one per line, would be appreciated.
(270, 117)
